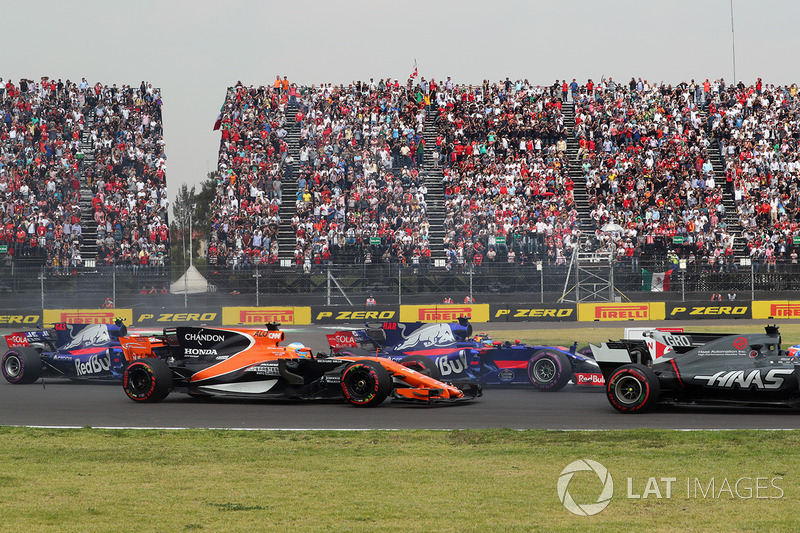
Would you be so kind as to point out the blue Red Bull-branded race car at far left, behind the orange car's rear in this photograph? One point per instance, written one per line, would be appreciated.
(74, 351)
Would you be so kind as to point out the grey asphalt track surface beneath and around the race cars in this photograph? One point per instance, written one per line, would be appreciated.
(63, 403)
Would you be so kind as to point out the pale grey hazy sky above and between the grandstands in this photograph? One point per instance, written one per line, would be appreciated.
(193, 50)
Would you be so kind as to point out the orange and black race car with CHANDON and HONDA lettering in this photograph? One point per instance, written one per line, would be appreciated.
(250, 363)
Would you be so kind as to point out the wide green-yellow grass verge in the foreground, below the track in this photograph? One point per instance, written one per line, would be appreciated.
(477, 480)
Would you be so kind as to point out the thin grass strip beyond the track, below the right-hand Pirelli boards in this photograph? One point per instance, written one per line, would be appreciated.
(790, 333)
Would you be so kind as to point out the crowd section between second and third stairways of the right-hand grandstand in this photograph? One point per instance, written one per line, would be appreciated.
(508, 195)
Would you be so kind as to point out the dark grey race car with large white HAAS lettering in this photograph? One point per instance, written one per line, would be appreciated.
(670, 367)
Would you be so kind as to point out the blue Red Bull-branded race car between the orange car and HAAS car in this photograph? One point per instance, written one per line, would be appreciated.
(451, 351)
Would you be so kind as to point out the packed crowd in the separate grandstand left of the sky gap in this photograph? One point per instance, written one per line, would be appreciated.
(41, 164)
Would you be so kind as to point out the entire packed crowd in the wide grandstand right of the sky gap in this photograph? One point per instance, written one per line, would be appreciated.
(644, 150)
